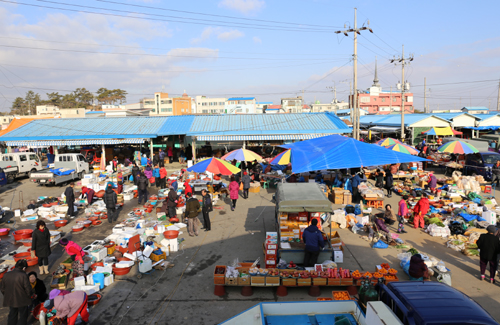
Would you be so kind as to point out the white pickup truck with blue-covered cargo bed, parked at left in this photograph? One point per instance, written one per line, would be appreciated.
(67, 167)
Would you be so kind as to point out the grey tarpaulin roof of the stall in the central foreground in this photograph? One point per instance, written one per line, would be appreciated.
(300, 197)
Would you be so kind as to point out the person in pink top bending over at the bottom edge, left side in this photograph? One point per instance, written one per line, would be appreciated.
(70, 306)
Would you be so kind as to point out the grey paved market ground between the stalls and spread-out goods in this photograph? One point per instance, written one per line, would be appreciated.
(184, 293)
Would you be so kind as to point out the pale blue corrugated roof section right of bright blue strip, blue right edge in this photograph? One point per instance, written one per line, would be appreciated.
(250, 124)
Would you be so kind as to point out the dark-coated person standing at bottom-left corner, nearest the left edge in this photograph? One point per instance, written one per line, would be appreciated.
(17, 293)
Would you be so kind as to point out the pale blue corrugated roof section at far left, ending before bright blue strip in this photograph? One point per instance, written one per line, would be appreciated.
(88, 128)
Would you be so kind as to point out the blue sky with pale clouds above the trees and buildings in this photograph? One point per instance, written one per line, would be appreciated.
(262, 48)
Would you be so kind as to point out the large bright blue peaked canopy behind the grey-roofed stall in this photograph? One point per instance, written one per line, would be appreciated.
(338, 152)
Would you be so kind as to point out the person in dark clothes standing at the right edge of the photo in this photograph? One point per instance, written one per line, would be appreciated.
(489, 247)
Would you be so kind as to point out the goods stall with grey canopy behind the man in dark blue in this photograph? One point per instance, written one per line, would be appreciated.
(296, 205)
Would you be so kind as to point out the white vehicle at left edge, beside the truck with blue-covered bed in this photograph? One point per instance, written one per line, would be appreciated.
(17, 164)
